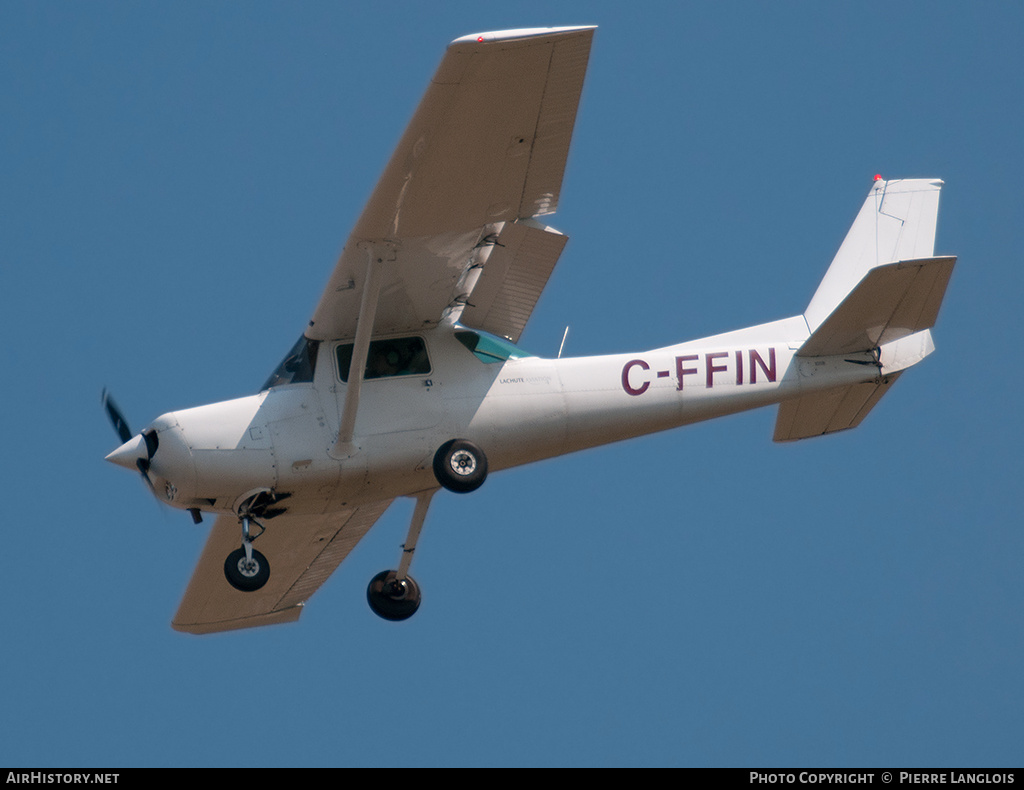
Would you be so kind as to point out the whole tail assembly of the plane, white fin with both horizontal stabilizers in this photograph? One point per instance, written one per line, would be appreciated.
(881, 295)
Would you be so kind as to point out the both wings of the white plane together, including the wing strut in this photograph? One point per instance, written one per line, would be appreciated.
(450, 232)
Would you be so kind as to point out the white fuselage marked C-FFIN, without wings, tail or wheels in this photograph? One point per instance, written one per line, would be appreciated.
(519, 409)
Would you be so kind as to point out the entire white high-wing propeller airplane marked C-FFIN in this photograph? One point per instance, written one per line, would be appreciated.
(408, 379)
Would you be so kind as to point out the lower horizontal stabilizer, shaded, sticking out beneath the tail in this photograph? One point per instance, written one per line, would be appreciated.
(826, 412)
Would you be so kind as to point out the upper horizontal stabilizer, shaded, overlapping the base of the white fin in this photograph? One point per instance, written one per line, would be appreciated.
(891, 302)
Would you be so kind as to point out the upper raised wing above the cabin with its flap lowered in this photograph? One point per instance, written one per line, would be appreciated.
(484, 155)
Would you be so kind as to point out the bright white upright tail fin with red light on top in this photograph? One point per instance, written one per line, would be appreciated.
(897, 223)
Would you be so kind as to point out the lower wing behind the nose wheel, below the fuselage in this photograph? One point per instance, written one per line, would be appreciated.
(307, 550)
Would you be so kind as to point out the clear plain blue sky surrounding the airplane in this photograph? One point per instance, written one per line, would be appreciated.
(178, 182)
